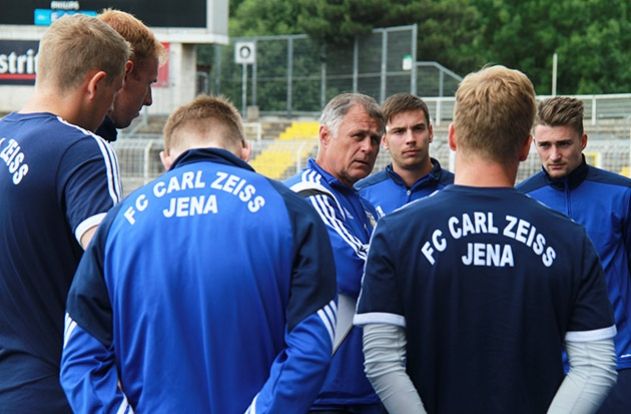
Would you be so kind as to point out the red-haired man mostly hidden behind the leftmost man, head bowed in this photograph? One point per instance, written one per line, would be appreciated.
(141, 71)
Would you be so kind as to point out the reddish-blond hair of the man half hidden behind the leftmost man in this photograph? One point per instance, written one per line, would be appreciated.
(142, 40)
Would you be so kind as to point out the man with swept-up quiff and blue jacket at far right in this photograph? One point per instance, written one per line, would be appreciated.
(599, 200)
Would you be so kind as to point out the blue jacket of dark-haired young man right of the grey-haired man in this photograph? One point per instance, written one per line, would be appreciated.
(387, 191)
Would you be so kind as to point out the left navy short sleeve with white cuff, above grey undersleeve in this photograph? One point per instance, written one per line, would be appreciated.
(380, 299)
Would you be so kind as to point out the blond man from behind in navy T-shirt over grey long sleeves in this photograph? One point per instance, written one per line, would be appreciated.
(469, 296)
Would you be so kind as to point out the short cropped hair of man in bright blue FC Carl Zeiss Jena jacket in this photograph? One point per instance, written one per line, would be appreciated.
(212, 118)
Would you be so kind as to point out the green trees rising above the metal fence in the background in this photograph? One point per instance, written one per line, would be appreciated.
(591, 37)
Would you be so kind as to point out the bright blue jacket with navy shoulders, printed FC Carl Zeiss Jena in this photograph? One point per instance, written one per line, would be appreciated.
(209, 290)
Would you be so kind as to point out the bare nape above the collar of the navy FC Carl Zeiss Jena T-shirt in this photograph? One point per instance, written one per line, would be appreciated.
(476, 171)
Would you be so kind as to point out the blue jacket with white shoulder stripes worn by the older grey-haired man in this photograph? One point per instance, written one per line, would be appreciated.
(349, 220)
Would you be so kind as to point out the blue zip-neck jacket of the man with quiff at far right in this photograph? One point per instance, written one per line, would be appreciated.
(601, 201)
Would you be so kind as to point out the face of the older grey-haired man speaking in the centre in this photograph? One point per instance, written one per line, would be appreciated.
(351, 154)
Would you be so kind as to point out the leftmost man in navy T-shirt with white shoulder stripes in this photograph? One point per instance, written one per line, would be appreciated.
(57, 181)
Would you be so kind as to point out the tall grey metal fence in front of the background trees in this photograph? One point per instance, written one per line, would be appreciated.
(293, 75)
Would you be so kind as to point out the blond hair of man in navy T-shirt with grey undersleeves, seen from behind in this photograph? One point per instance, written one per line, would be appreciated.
(494, 113)
